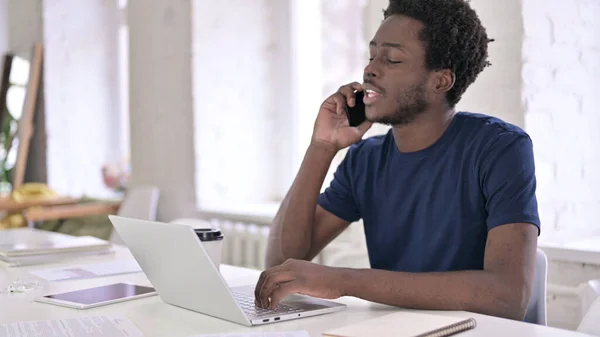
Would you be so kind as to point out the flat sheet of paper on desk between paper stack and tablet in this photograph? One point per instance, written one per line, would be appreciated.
(87, 270)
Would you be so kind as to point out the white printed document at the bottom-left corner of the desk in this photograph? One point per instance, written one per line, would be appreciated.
(91, 326)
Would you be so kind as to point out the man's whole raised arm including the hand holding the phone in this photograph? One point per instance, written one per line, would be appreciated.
(301, 228)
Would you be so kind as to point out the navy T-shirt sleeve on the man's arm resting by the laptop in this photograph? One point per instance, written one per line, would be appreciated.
(508, 181)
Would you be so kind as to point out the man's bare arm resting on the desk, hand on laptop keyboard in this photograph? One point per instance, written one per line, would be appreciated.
(501, 289)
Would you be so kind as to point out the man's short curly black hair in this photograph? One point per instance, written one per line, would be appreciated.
(453, 36)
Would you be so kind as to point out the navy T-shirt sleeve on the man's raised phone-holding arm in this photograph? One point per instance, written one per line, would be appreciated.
(338, 197)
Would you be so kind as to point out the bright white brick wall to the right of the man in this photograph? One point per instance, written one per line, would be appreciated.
(561, 71)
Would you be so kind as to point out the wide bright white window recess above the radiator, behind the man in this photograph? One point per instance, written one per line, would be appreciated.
(257, 94)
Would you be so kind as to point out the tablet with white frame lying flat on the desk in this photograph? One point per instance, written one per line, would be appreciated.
(98, 296)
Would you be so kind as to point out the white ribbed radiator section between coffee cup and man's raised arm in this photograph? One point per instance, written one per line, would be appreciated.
(244, 245)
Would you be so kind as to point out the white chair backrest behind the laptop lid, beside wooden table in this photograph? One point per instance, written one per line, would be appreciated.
(139, 203)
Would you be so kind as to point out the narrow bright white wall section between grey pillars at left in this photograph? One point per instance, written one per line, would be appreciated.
(81, 94)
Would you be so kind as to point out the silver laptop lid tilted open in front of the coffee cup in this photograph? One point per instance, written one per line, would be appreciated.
(175, 262)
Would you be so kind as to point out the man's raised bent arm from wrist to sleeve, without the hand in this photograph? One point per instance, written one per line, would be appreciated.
(301, 228)
